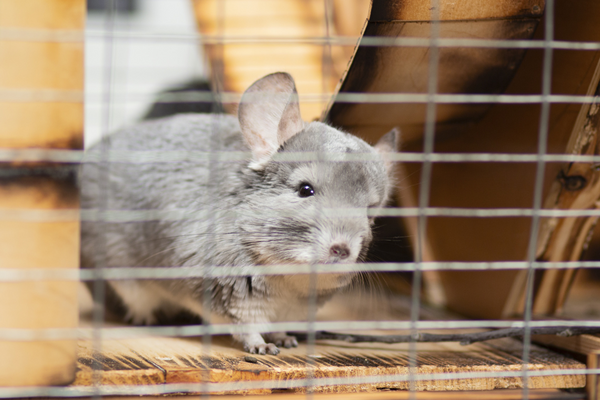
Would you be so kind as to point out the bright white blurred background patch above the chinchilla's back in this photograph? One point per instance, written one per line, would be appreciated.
(154, 47)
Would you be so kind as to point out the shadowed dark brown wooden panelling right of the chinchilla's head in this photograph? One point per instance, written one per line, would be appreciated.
(475, 128)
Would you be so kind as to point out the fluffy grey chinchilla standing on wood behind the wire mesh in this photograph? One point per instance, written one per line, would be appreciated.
(244, 213)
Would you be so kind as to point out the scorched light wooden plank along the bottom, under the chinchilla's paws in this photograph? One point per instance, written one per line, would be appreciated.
(186, 361)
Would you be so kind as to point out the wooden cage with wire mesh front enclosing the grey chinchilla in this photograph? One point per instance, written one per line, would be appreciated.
(495, 196)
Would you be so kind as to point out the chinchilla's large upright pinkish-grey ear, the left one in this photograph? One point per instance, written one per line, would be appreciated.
(269, 114)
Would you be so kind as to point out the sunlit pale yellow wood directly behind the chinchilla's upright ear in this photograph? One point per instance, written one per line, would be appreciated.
(237, 66)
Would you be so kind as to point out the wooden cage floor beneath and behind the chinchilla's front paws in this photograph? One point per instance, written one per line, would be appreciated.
(358, 367)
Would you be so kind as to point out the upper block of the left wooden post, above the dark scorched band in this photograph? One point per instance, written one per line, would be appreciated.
(44, 67)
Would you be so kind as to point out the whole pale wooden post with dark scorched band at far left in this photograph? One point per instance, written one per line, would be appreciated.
(41, 106)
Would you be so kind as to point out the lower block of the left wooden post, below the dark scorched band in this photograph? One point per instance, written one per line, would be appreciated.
(26, 244)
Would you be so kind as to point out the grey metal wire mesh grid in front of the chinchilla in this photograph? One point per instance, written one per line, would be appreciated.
(112, 99)
